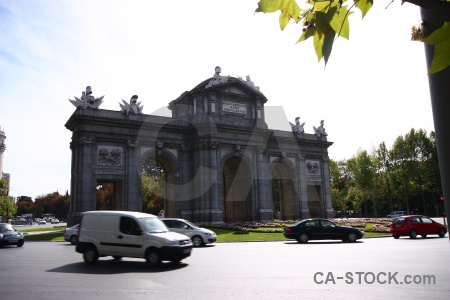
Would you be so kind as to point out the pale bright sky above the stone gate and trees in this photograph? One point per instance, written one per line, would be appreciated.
(373, 89)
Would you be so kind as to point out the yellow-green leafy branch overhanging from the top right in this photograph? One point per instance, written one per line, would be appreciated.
(325, 20)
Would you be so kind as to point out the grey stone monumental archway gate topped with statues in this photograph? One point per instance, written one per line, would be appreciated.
(217, 153)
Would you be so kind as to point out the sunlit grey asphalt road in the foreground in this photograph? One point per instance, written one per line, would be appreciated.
(369, 269)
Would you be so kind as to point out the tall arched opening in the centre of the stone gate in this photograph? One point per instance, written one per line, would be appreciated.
(237, 183)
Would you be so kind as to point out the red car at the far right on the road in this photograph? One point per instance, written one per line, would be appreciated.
(416, 225)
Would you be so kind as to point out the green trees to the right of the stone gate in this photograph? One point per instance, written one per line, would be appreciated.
(404, 177)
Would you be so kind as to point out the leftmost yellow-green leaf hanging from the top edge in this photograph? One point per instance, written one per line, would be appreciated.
(289, 10)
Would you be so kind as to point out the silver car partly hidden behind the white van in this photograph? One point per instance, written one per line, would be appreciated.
(199, 236)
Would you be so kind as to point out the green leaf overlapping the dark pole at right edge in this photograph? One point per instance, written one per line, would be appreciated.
(440, 38)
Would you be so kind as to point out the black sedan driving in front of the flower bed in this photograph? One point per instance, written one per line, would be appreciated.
(320, 229)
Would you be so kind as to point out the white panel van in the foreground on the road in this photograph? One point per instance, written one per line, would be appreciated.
(129, 234)
